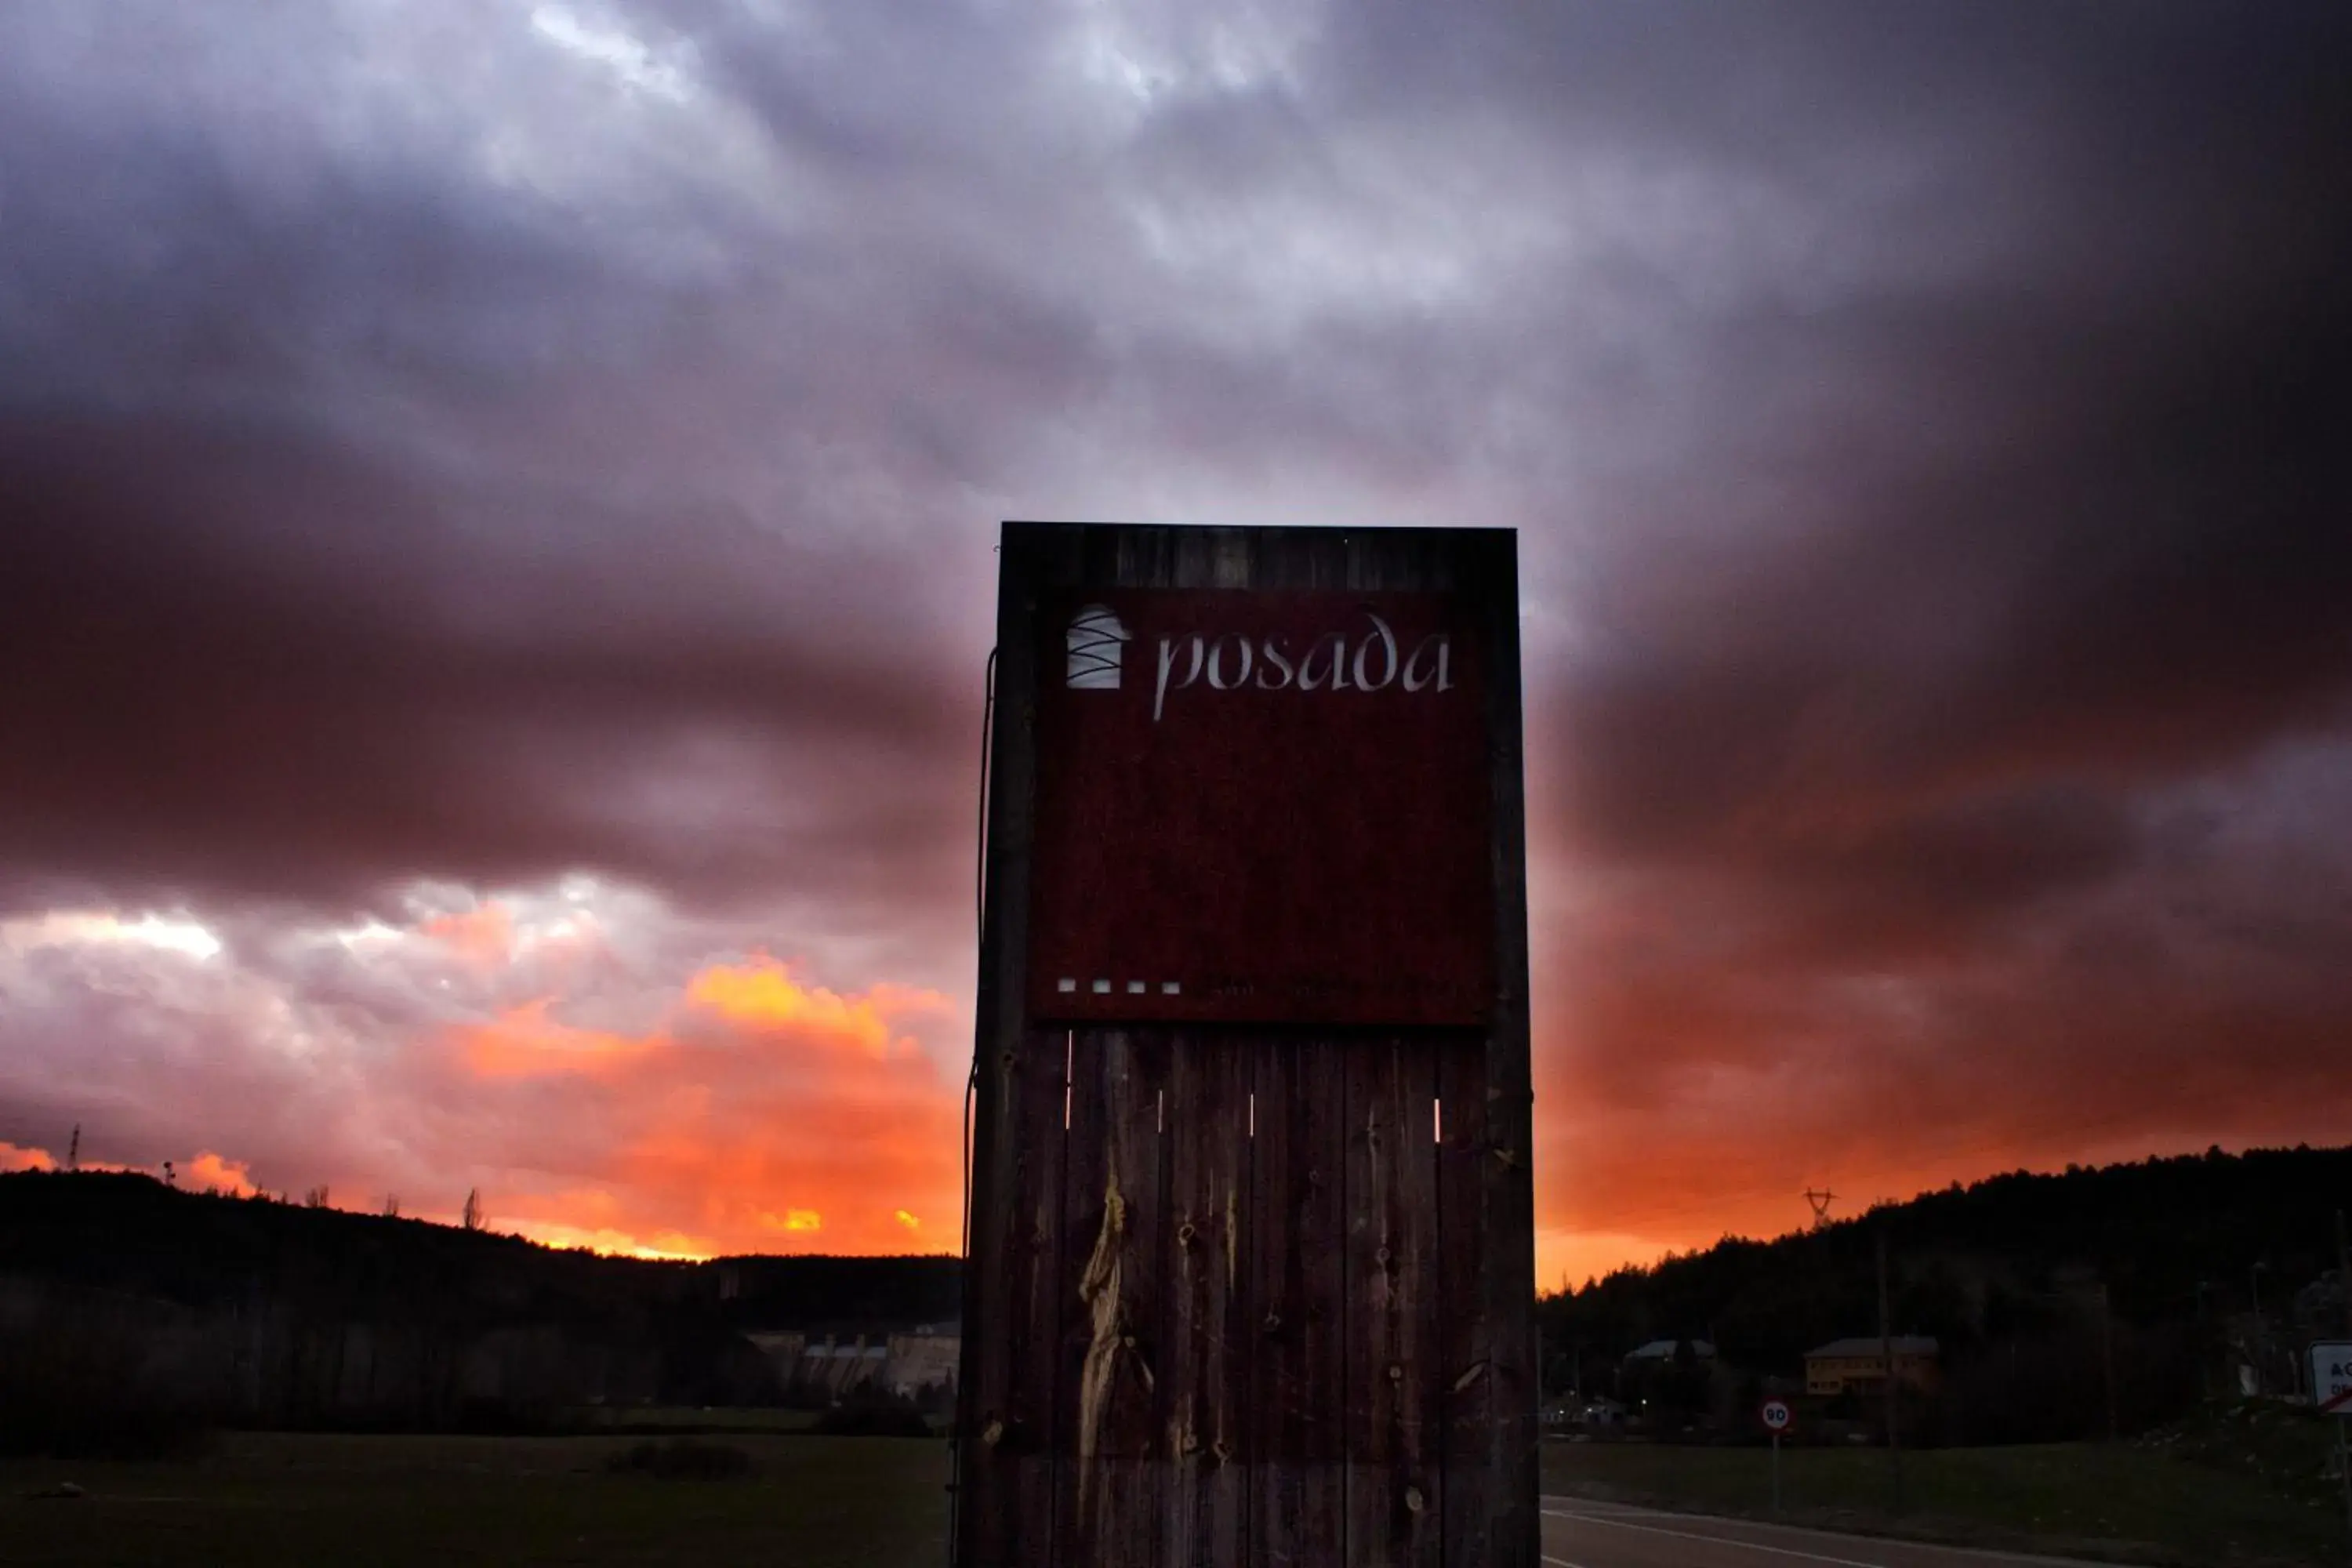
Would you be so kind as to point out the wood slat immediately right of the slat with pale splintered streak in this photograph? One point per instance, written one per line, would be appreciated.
(1208, 1341)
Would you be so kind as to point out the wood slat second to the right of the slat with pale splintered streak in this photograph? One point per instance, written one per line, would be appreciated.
(1297, 1294)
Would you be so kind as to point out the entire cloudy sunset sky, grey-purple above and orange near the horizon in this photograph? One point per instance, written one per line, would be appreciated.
(497, 518)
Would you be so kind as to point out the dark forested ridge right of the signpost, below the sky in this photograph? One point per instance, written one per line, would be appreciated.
(2186, 1275)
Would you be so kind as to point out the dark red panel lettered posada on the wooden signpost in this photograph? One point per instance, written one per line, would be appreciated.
(1262, 808)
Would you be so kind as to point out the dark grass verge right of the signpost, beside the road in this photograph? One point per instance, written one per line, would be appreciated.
(2116, 1501)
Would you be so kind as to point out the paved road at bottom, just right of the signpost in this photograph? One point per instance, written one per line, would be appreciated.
(1582, 1534)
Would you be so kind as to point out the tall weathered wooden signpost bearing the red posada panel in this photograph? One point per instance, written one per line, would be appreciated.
(1252, 1224)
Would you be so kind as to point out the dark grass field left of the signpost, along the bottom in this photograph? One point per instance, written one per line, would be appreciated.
(479, 1503)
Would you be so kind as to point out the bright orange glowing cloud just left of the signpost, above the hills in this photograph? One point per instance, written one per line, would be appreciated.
(763, 1113)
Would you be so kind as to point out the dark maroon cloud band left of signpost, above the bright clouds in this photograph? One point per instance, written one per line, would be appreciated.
(253, 662)
